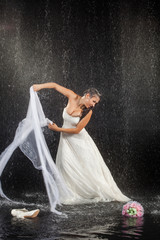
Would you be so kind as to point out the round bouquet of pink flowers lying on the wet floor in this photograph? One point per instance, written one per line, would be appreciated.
(132, 209)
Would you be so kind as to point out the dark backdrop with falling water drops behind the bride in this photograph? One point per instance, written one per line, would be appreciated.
(111, 45)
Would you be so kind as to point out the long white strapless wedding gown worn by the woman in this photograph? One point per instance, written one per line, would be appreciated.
(83, 169)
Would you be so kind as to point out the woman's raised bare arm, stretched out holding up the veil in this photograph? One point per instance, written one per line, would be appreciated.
(65, 91)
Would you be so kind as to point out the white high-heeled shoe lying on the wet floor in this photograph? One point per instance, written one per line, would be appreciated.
(24, 213)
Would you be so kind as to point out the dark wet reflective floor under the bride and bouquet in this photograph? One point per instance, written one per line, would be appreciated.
(89, 221)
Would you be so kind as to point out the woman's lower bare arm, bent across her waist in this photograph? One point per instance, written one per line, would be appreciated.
(76, 130)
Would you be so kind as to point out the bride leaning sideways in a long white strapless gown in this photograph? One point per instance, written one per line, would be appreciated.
(78, 159)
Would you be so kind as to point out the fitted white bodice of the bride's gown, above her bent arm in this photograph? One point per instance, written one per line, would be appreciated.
(69, 121)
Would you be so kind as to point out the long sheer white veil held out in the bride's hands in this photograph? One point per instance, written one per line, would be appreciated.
(29, 137)
